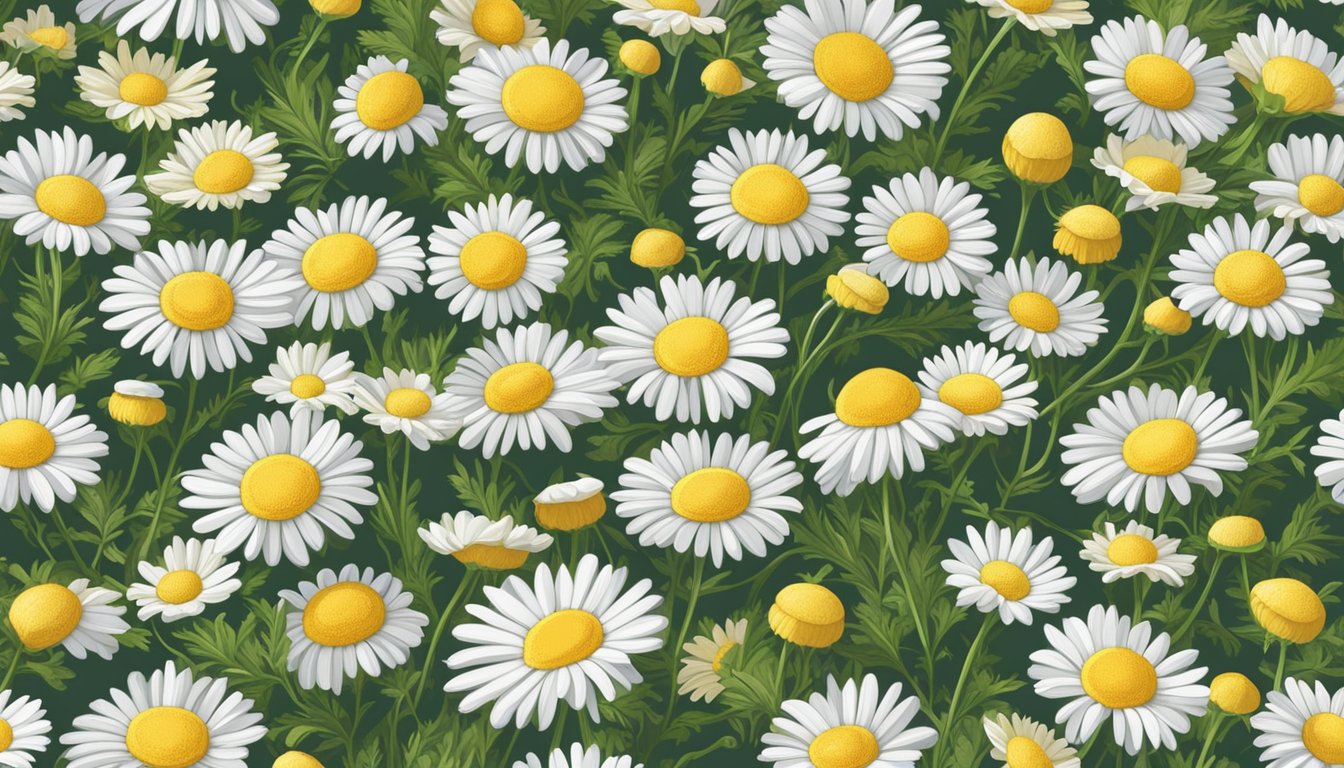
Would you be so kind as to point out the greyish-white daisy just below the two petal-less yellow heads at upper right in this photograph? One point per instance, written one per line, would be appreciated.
(1040, 310)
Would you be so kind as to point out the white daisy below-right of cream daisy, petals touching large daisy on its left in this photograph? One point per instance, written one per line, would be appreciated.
(354, 258)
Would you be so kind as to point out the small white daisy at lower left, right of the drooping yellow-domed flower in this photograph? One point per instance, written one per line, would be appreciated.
(192, 578)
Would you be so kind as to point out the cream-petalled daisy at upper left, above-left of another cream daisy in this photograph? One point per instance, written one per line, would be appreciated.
(146, 89)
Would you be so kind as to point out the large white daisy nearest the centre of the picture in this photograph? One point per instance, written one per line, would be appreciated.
(694, 354)
